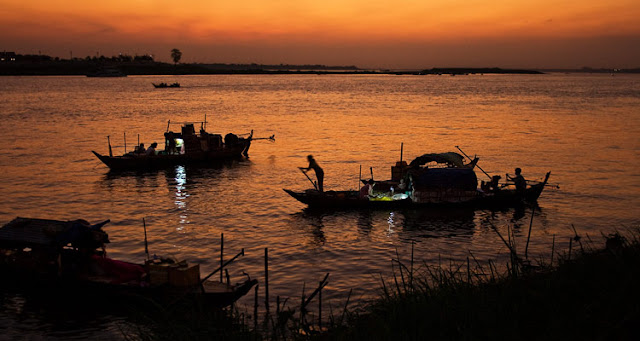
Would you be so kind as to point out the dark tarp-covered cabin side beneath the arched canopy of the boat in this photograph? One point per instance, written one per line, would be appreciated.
(445, 178)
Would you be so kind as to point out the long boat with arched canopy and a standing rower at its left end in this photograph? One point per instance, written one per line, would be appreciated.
(431, 180)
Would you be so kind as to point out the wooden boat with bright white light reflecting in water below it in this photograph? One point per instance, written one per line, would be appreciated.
(186, 147)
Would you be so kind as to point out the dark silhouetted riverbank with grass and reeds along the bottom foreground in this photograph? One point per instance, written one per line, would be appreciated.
(580, 293)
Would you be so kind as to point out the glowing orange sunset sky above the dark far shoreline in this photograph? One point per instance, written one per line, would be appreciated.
(371, 33)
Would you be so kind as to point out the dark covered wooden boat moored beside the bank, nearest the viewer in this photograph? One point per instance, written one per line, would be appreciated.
(69, 258)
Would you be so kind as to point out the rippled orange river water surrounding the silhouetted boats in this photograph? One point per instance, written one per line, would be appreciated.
(585, 129)
